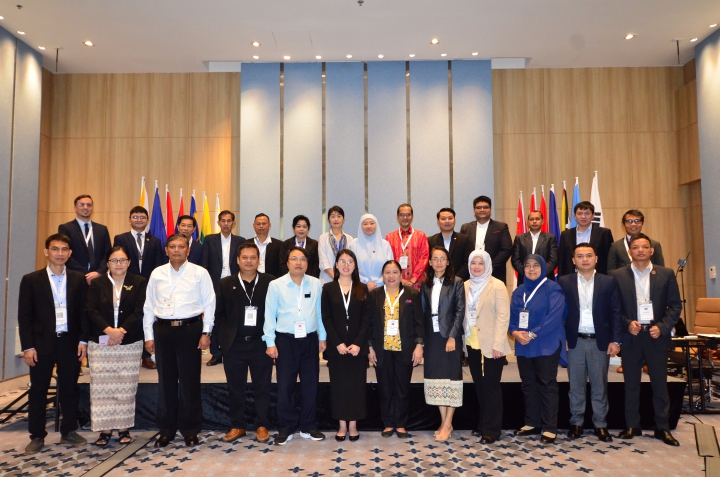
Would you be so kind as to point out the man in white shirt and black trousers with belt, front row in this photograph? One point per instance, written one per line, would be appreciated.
(179, 314)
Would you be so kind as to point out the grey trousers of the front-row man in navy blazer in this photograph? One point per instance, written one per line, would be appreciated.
(584, 361)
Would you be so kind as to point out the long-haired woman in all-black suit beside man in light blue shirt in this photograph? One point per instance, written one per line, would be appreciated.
(346, 319)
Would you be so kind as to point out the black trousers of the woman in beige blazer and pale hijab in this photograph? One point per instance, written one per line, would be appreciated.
(488, 391)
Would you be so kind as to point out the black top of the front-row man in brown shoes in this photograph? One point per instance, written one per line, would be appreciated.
(230, 309)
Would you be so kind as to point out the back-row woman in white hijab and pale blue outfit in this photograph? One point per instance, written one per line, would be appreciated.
(371, 250)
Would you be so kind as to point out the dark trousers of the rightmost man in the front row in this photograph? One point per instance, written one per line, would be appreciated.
(643, 351)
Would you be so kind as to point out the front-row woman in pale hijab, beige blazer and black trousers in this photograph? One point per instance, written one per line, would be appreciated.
(487, 317)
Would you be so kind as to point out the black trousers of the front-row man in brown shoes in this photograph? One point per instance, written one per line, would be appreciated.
(241, 356)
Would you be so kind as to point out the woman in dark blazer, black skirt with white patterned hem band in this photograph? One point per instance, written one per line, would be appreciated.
(443, 303)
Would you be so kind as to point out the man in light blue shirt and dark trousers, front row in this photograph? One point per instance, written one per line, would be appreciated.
(295, 337)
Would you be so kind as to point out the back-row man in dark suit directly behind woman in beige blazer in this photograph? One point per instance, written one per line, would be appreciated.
(489, 235)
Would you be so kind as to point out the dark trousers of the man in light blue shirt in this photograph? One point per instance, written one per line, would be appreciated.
(297, 357)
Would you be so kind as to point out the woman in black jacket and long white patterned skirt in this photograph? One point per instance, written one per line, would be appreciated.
(115, 312)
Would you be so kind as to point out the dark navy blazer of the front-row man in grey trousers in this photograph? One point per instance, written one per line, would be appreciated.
(606, 308)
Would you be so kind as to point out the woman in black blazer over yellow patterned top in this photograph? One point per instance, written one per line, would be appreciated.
(396, 341)
